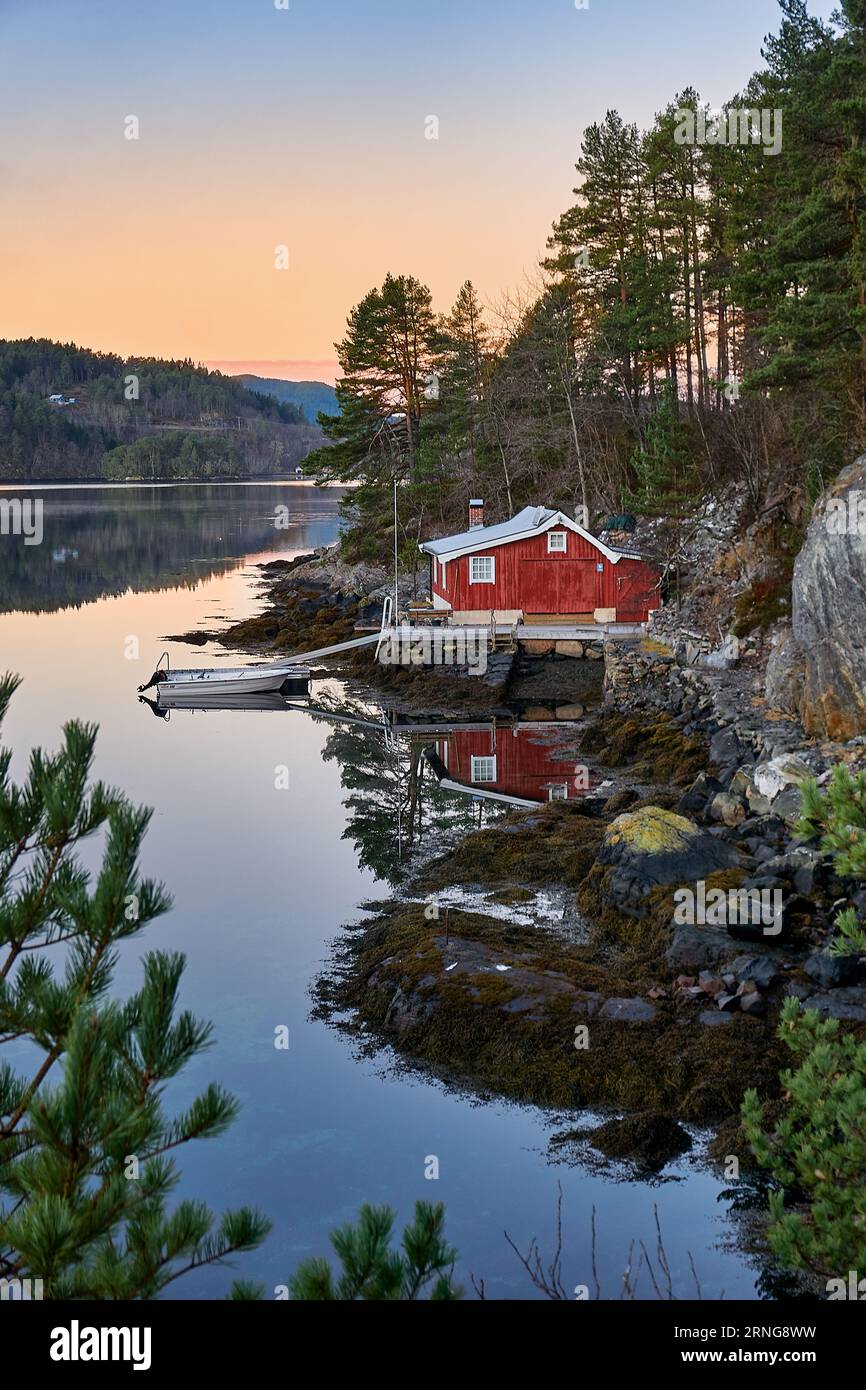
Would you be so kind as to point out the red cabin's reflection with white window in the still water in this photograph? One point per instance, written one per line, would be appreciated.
(512, 765)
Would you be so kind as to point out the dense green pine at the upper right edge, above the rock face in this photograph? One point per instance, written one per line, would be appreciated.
(808, 272)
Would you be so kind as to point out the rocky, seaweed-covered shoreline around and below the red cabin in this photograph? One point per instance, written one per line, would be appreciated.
(643, 1015)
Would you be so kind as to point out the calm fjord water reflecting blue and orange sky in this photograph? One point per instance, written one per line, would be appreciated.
(262, 882)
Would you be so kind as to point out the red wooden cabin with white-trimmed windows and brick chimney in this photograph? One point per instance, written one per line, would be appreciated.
(540, 565)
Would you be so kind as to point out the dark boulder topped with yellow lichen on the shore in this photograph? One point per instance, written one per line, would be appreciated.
(650, 849)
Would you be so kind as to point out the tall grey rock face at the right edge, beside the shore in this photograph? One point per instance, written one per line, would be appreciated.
(829, 612)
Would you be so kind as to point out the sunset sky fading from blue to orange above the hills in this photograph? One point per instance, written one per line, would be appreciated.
(307, 127)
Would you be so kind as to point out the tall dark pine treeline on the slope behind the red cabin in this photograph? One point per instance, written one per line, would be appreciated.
(700, 322)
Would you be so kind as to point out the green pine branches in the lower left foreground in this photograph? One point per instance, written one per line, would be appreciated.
(87, 1147)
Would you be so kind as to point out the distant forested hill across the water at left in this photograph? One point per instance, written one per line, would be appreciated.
(138, 418)
